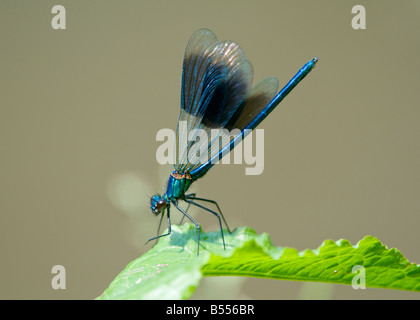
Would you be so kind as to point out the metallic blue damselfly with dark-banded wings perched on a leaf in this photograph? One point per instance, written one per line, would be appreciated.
(216, 93)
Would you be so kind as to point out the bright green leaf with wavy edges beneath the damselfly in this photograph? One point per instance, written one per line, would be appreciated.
(172, 270)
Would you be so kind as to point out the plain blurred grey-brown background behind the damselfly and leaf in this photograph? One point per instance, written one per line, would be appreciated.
(80, 109)
